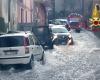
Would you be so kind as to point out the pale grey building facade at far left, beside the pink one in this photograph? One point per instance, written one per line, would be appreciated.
(8, 13)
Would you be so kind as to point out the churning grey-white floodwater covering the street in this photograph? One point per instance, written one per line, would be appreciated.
(65, 62)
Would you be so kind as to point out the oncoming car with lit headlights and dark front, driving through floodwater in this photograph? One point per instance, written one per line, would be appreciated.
(61, 35)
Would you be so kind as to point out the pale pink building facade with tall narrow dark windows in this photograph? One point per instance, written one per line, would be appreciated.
(24, 11)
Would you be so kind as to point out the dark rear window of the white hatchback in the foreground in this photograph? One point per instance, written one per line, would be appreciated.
(11, 41)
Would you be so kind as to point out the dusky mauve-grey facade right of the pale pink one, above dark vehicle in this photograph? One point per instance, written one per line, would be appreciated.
(40, 13)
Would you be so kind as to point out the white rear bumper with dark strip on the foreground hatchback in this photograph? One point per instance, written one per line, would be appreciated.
(15, 60)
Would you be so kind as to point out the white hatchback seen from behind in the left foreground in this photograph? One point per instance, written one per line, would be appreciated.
(20, 48)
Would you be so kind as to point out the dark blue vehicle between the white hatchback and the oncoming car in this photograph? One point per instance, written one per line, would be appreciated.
(44, 35)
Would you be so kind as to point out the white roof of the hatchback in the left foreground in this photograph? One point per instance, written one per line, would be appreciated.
(22, 33)
